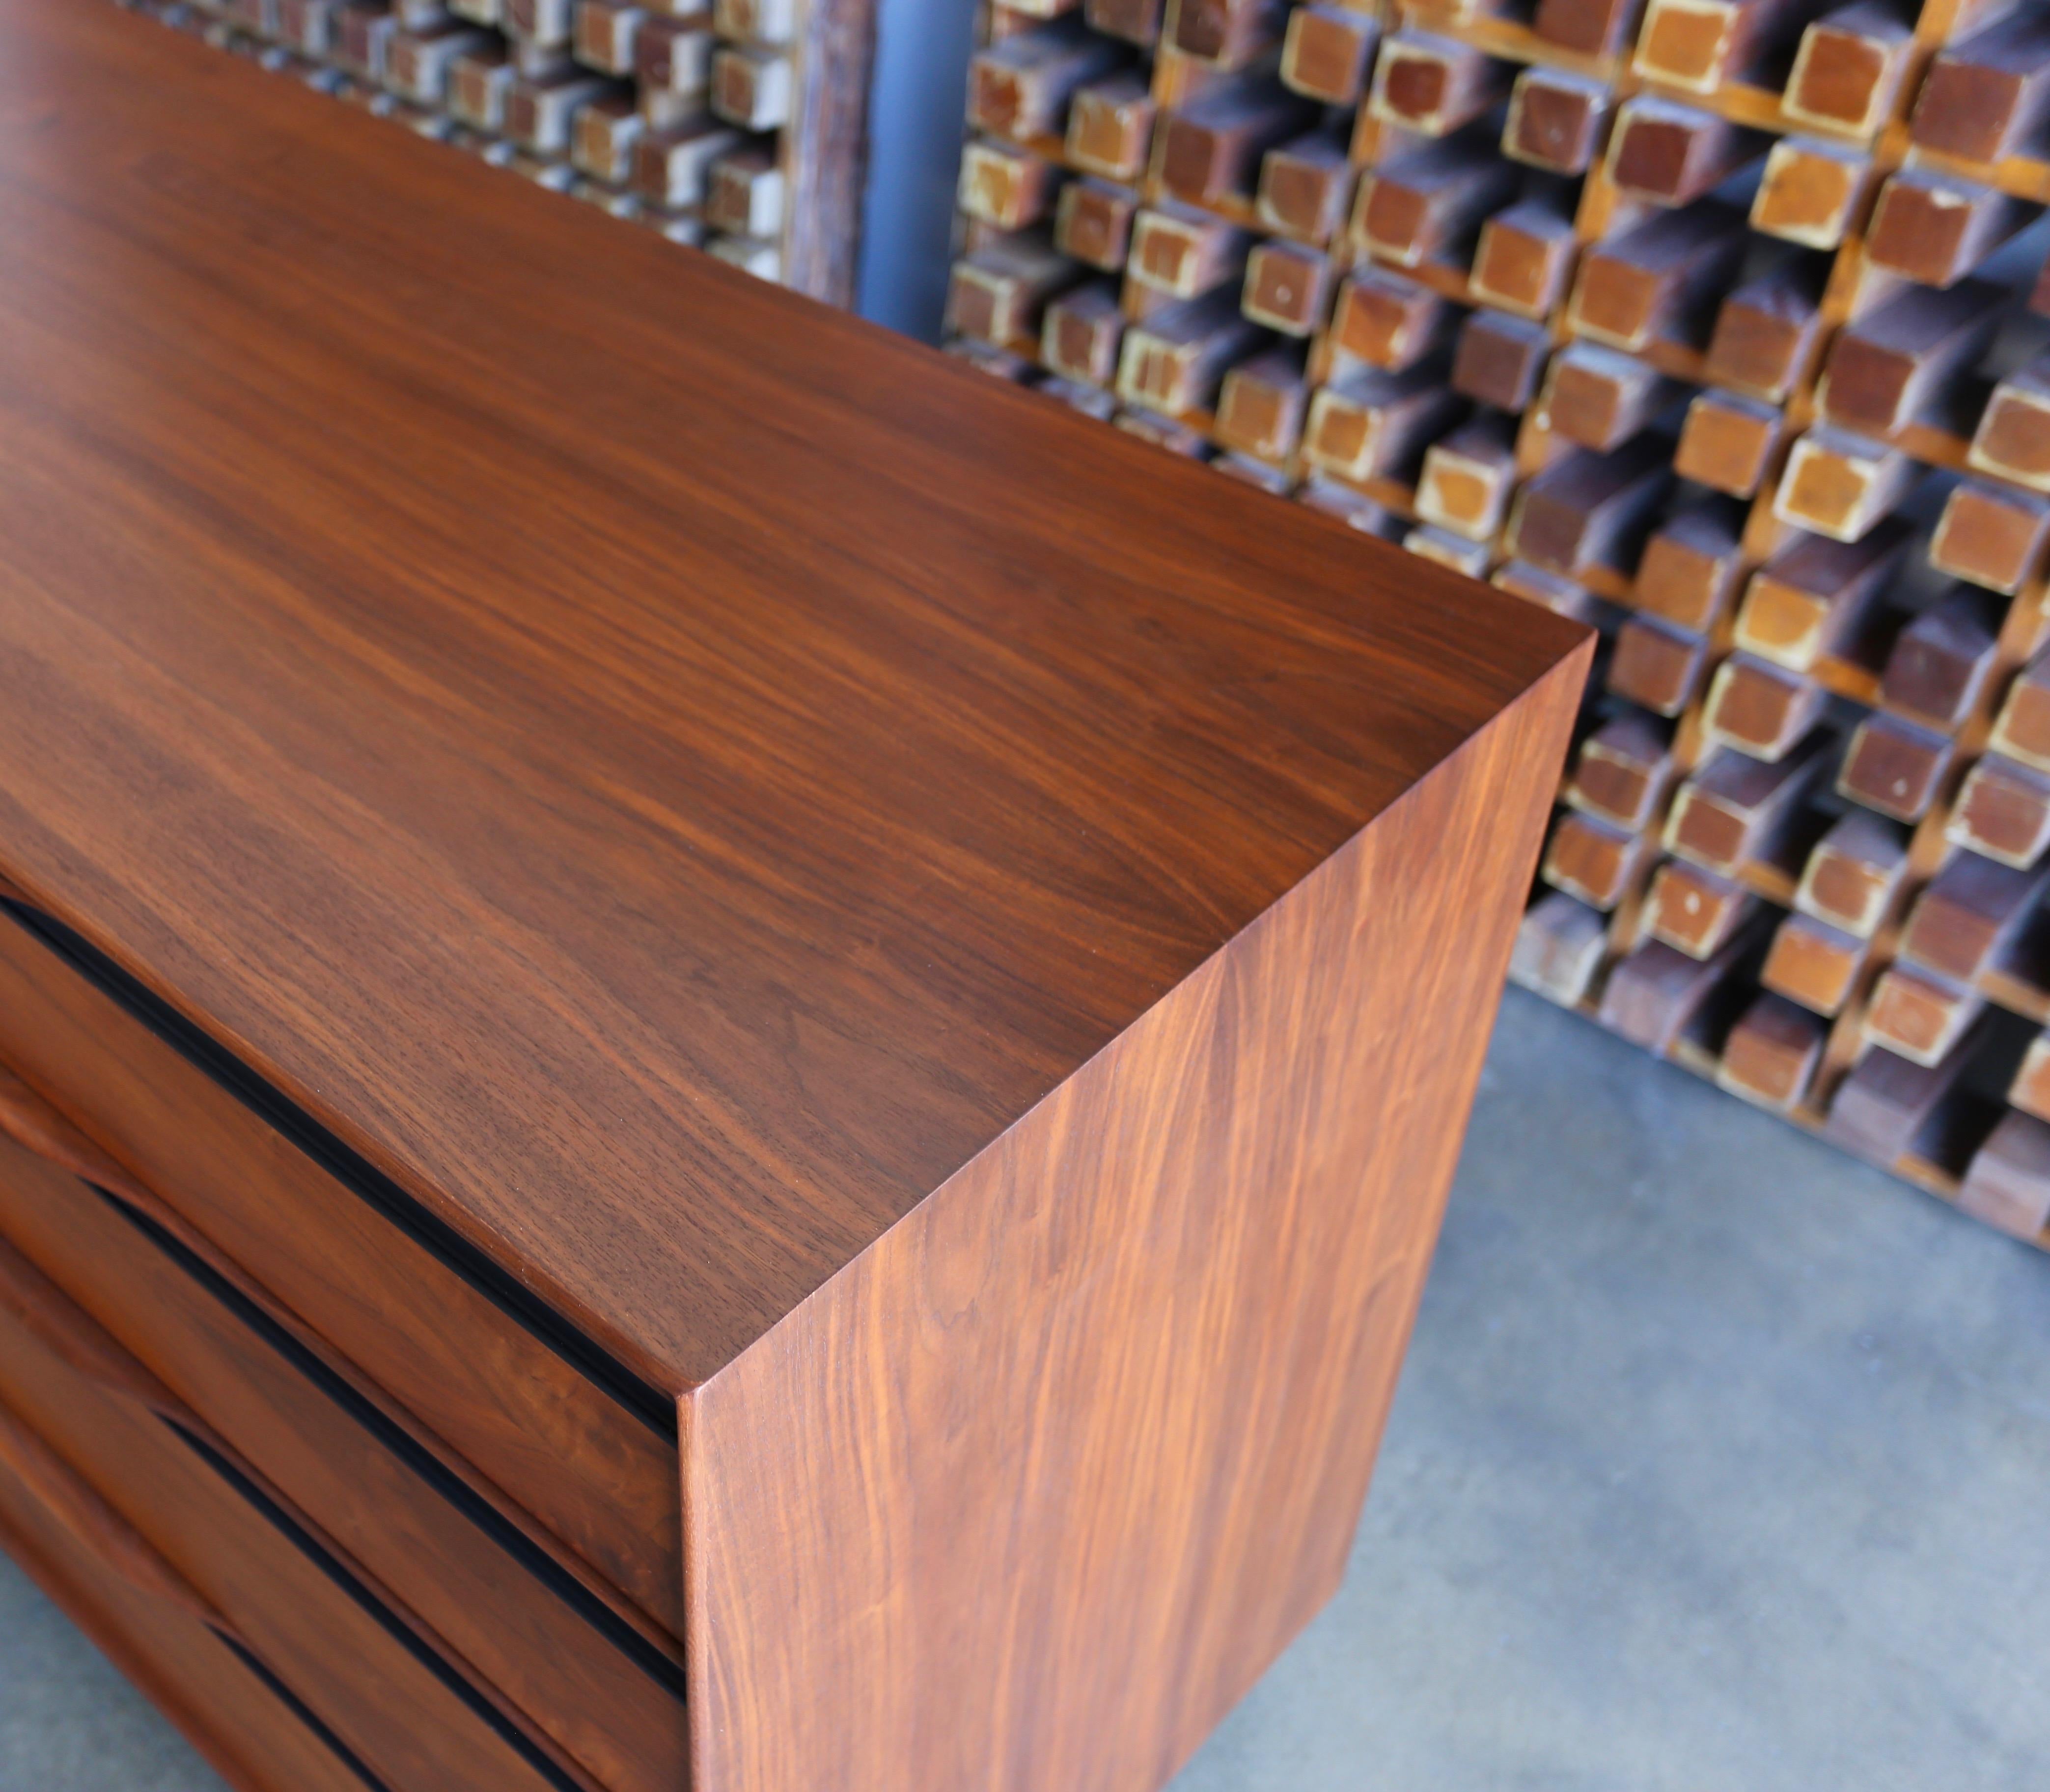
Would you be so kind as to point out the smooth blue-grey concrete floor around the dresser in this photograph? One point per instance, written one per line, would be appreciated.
(1721, 1465)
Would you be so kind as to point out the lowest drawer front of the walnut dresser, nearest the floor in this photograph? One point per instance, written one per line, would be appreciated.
(231, 1707)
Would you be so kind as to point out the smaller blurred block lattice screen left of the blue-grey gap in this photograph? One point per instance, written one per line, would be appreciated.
(735, 126)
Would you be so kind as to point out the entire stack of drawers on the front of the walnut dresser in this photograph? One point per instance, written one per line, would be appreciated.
(206, 1309)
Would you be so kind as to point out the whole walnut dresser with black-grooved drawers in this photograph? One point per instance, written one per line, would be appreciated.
(682, 1106)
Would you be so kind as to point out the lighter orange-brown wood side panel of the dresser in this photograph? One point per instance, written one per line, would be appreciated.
(1049, 1475)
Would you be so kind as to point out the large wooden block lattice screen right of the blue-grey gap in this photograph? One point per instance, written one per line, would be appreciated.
(1707, 321)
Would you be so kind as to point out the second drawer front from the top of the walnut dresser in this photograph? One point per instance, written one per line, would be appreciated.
(571, 1664)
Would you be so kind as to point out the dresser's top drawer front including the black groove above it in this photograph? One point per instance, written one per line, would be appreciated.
(548, 1420)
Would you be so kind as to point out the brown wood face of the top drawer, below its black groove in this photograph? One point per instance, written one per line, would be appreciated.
(501, 1397)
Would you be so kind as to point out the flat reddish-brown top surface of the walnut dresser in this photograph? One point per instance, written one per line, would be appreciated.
(661, 768)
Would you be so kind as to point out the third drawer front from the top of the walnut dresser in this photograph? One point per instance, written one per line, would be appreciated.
(257, 1572)
